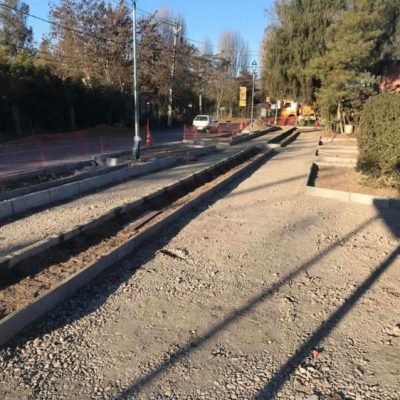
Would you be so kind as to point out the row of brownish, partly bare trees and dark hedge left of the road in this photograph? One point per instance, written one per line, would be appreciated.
(81, 74)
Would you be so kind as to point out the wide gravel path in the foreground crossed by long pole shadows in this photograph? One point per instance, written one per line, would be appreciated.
(262, 293)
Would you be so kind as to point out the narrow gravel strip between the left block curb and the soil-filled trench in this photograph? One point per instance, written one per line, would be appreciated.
(56, 220)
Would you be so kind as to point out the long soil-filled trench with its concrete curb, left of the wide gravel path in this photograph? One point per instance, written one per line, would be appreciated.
(42, 281)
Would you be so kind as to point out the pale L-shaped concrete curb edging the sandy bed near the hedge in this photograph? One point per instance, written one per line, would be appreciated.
(341, 195)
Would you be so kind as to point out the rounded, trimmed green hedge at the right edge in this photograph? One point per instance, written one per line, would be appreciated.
(379, 136)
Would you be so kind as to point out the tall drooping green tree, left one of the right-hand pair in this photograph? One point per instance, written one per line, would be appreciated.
(292, 41)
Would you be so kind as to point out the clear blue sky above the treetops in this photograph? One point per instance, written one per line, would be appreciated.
(204, 18)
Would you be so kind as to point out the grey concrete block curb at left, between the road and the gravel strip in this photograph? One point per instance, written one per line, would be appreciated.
(40, 199)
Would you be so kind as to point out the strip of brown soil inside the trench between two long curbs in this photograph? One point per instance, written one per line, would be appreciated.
(40, 274)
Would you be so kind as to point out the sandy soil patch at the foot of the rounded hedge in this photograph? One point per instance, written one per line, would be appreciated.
(347, 179)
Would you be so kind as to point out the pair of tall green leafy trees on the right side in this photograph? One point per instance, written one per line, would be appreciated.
(329, 52)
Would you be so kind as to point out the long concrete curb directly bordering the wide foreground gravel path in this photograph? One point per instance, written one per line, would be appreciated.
(13, 323)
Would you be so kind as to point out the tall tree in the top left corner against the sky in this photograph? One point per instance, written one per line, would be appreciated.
(15, 35)
